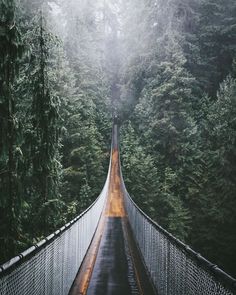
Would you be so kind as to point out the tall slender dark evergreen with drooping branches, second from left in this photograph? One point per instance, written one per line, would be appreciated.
(45, 129)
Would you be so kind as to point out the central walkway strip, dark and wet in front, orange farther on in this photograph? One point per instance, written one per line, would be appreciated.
(114, 271)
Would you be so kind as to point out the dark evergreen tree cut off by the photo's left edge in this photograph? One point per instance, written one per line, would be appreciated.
(10, 152)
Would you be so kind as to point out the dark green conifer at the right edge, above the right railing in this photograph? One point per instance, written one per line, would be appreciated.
(217, 183)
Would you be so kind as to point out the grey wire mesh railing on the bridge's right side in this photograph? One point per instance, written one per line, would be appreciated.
(173, 267)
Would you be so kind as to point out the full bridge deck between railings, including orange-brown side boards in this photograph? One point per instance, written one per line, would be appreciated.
(112, 264)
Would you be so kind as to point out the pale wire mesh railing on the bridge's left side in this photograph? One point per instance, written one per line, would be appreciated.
(50, 267)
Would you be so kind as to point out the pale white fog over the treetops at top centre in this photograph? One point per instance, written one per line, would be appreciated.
(109, 37)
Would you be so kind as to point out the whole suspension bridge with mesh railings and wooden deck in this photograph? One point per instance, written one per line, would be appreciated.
(112, 248)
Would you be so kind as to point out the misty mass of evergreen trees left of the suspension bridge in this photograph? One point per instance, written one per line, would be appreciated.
(60, 118)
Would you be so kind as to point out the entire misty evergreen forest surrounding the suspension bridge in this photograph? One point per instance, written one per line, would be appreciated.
(167, 68)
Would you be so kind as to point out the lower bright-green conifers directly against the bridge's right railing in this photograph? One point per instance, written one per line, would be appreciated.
(145, 183)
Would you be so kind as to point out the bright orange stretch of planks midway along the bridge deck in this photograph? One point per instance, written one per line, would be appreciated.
(115, 205)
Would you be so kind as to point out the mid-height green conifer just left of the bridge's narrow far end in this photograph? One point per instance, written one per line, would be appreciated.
(84, 156)
